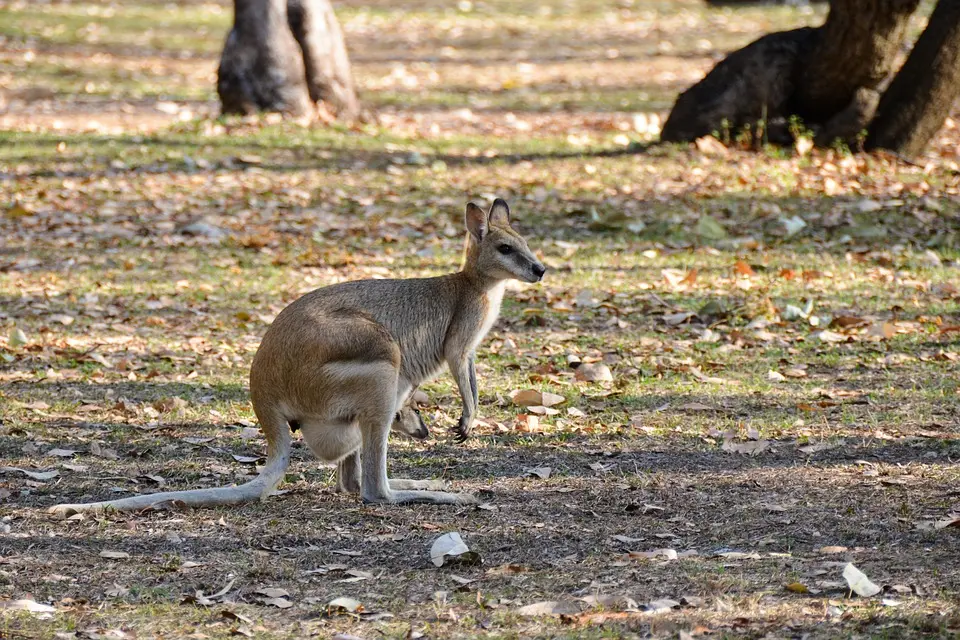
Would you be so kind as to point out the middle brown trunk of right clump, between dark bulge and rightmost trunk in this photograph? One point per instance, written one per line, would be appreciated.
(856, 49)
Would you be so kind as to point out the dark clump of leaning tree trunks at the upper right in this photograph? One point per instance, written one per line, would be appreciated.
(832, 78)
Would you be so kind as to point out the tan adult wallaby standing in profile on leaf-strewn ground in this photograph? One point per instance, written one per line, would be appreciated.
(340, 362)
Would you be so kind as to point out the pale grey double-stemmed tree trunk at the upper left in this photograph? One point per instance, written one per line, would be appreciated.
(280, 57)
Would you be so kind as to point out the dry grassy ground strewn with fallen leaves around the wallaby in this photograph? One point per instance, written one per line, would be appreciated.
(781, 332)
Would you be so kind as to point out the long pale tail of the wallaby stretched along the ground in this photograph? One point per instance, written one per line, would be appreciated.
(278, 459)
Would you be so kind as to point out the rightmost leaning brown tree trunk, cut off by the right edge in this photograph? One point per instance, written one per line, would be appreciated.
(918, 100)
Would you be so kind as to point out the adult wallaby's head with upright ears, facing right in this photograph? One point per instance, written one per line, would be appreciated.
(495, 250)
